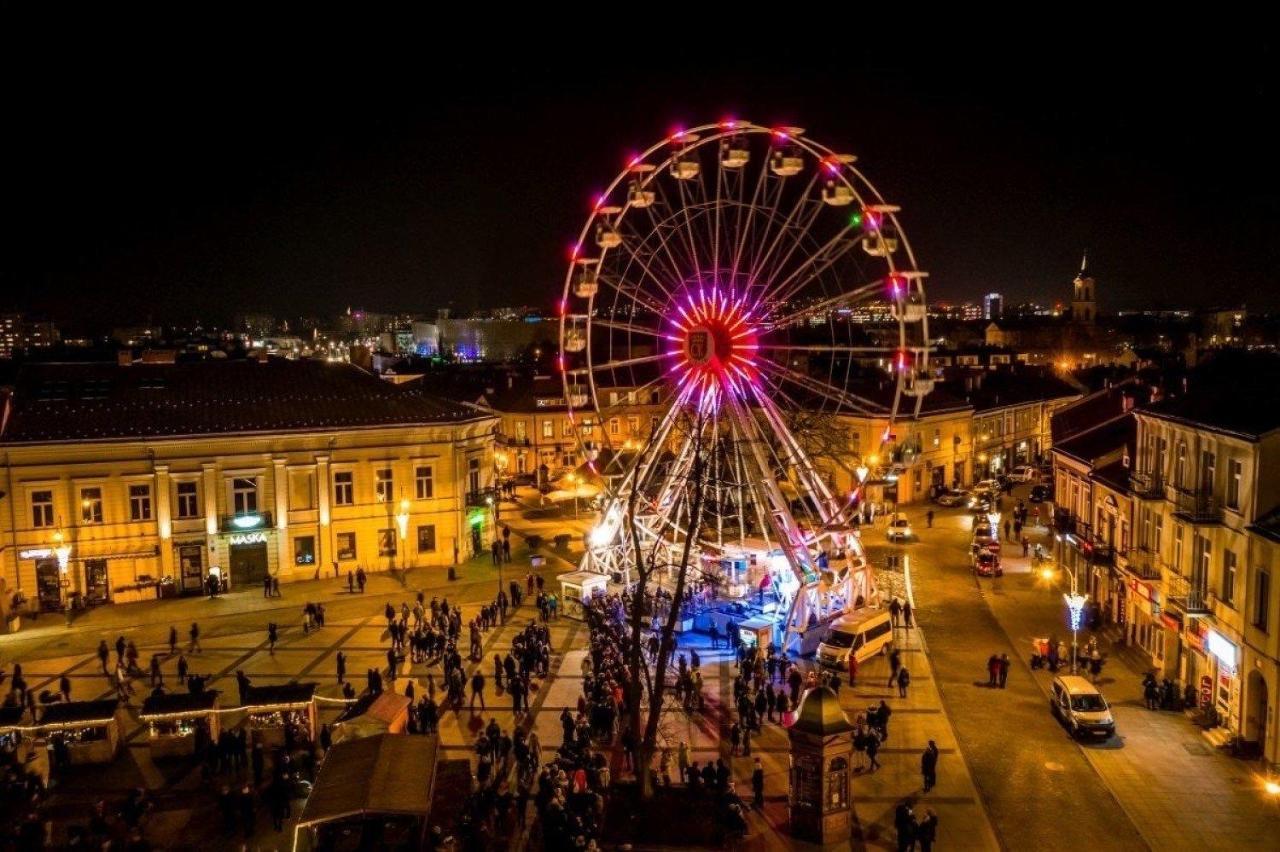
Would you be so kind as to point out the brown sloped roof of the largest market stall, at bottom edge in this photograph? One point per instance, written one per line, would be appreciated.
(382, 775)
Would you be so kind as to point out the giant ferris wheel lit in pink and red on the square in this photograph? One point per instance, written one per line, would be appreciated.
(730, 282)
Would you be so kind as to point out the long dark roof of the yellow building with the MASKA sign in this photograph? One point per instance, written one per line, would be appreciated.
(65, 402)
